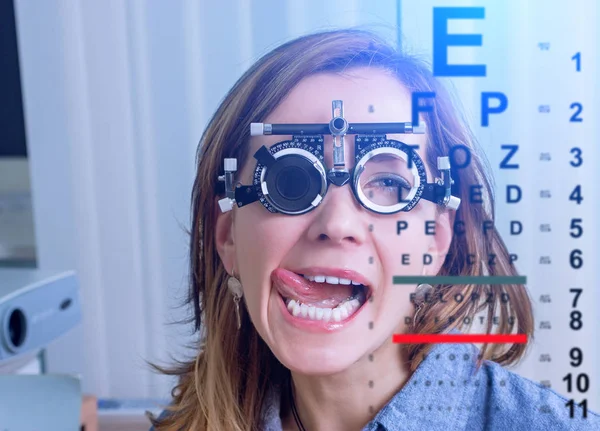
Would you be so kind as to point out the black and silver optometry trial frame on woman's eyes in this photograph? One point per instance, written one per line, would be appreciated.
(290, 177)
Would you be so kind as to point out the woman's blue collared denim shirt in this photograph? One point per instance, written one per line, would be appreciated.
(444, 394)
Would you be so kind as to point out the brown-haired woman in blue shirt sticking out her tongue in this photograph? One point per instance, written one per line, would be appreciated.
(267, 363)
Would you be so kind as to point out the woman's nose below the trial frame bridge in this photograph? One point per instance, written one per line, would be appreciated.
(339, 218)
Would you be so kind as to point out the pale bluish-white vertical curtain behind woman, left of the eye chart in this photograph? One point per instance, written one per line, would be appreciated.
(116, 95)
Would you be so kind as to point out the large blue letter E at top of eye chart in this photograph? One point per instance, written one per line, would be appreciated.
(442, 40)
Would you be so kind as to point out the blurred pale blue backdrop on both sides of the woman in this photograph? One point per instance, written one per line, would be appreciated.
(103, 105)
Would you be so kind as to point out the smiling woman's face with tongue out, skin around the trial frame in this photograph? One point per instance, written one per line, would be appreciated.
(339, 234)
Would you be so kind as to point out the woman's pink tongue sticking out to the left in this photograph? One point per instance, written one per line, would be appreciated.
(294, 286)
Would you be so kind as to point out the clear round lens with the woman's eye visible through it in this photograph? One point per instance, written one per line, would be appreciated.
(386, 180)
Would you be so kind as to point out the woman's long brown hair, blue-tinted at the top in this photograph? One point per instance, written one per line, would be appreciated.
(224, 387)
